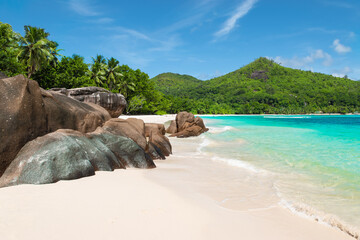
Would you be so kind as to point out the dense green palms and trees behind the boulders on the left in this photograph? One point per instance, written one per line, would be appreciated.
(35, 56)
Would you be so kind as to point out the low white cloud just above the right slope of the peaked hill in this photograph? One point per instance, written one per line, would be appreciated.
(297, 62)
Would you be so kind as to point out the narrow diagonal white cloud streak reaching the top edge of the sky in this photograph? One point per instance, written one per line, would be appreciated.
(240, 12)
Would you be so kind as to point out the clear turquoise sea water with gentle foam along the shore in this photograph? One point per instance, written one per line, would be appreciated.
(316, 159)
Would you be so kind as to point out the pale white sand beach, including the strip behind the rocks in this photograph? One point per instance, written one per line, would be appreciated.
(186, 197)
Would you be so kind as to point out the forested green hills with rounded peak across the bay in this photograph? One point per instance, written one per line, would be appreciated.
(262, 86)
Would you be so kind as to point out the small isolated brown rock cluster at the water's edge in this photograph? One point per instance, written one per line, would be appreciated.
(187, 126)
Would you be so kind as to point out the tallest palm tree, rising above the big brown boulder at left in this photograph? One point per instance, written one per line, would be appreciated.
(35, 49)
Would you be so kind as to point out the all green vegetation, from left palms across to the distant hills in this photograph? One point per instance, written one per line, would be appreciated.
(260, 87)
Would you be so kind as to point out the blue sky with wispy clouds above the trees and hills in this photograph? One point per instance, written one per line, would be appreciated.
(202, 38)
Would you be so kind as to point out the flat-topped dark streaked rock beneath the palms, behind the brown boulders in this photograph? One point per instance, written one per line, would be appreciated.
(114, 103)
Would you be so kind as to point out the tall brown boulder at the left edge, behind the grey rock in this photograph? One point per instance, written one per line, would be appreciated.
(23, 116)
